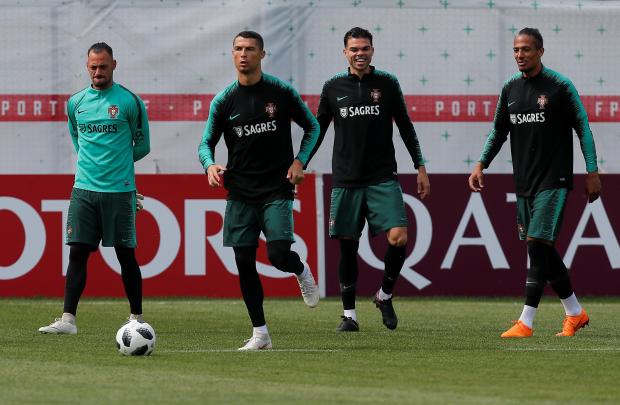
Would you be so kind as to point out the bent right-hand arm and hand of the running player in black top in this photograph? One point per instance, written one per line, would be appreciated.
(301, 114)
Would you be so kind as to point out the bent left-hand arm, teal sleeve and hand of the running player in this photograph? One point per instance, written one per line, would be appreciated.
(210, 137)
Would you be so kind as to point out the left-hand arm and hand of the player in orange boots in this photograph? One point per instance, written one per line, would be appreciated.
(494, 142)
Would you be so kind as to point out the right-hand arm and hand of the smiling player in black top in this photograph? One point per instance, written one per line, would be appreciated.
(410, 138)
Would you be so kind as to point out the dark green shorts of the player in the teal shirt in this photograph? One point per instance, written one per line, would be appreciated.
(109, 218)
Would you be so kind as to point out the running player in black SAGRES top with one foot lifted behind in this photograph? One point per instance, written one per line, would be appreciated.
(254, 113)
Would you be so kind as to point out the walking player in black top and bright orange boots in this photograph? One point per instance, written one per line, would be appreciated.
(540, 108)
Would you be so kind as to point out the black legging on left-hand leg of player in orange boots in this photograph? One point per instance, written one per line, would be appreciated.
(537, 273)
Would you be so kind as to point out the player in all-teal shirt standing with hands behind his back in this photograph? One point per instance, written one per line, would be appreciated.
(110, 131)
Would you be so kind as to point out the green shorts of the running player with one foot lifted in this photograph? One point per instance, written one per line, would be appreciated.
(243, 222)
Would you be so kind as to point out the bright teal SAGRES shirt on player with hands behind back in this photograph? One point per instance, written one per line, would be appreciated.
(110, 131)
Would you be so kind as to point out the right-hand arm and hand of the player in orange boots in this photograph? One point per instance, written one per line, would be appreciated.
(582, 127)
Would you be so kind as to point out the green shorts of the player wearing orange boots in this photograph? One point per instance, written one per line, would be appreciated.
(540, 216)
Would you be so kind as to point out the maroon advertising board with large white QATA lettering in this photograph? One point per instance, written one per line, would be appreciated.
(463, 243)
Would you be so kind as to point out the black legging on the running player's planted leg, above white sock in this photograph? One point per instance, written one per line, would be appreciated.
(251, 287)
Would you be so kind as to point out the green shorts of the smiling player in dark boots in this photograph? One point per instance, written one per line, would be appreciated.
(380, 204)
